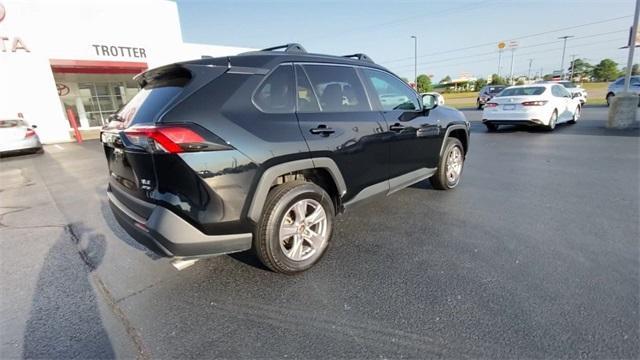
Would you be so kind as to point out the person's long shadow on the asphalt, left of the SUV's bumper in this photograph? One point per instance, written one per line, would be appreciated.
(65, 320)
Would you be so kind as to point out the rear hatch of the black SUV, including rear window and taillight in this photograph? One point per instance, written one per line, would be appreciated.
(134, 137)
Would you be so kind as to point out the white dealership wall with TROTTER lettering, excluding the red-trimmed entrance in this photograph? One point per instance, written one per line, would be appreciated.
(68, 30)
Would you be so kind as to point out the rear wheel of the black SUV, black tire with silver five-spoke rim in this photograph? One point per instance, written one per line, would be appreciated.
(278, 255)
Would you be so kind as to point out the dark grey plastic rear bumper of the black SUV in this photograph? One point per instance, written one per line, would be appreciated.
(167, 234)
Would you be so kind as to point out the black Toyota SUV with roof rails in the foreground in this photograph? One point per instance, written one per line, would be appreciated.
(261, 150)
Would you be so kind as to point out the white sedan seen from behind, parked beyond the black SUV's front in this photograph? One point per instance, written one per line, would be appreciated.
(535, 105)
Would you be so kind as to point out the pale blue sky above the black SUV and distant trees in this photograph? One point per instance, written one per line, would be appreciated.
(455, 37)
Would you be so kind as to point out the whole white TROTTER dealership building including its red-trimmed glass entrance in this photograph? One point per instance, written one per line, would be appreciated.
(76, 59)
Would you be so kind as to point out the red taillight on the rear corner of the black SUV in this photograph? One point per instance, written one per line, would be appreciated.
(171, 139)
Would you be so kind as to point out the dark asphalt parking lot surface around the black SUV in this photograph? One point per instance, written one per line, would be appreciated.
(535, 255)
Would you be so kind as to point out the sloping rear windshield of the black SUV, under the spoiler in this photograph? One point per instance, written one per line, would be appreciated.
(156, 94)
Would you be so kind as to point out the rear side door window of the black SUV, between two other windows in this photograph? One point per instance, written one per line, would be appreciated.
(338, 88)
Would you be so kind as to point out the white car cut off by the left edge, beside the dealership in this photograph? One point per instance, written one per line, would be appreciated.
(17, 136)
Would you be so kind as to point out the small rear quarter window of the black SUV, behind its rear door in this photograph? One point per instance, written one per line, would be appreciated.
(275, 94)
